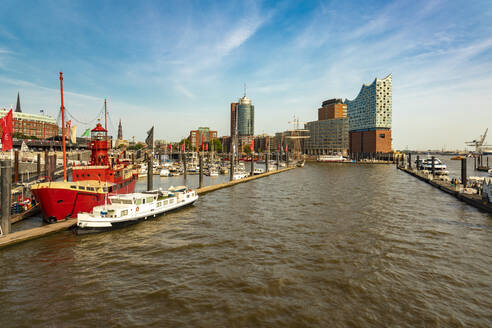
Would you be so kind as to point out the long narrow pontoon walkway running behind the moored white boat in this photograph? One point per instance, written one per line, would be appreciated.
(25, 235)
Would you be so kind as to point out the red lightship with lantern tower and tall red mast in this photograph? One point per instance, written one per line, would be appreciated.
(91, 184)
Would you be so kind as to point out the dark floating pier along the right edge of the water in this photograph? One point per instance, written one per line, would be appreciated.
(454, 190)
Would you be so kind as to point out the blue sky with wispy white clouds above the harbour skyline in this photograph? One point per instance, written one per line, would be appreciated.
(178, 65)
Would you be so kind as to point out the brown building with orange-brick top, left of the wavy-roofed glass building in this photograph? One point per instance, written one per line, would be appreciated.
(330, 133)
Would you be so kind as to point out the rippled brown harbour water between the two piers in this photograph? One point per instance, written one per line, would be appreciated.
(329, 245)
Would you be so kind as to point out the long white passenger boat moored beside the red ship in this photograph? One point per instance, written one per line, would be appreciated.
(126, 209)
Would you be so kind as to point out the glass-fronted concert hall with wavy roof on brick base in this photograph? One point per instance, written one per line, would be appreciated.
(370, 116)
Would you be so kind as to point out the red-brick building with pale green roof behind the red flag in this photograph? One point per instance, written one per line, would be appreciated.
(31, 125)
